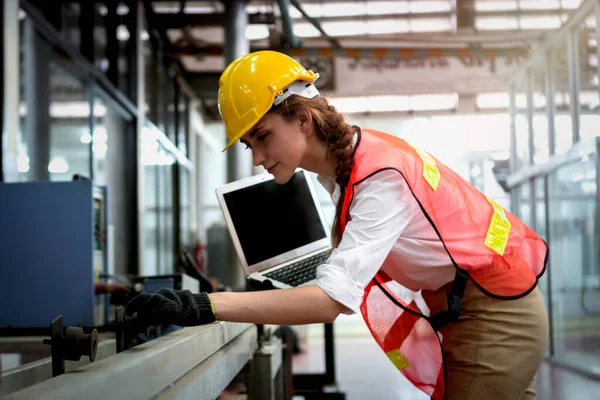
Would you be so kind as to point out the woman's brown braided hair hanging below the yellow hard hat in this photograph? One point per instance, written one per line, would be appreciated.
(332, 129)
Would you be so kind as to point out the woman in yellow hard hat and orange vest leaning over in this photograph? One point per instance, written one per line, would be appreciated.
(405, 226)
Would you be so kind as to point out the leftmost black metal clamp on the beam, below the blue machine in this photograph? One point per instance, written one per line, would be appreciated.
(70, 343)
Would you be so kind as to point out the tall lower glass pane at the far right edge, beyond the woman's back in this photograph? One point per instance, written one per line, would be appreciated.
(574, 261)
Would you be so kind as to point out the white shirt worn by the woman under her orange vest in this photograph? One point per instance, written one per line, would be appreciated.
(388, 230)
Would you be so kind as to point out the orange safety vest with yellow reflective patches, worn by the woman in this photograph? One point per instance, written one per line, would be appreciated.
(485, 242)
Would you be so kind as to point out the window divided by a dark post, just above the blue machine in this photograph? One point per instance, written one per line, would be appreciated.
(55, 117)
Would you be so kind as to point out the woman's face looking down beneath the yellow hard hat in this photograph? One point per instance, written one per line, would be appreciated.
(277, 145)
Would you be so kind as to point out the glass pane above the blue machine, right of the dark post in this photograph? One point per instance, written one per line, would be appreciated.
(69, 130)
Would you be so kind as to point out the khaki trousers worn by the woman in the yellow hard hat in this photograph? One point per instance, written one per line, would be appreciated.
(495, 348)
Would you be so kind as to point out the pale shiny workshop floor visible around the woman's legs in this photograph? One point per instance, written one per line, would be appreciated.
(362, 366)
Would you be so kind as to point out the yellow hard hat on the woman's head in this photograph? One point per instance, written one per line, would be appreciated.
(249, 85)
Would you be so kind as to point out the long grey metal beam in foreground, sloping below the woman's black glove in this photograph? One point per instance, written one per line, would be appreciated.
(147, 370)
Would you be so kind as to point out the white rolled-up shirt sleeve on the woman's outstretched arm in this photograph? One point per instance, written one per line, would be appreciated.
(381, 209)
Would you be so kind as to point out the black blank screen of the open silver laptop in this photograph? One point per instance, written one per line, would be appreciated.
(271, 219)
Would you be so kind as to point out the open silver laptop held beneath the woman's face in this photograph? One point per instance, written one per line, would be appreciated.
(279, 231)
